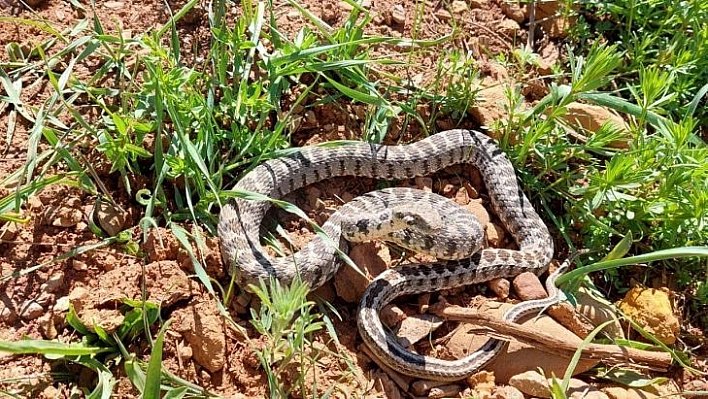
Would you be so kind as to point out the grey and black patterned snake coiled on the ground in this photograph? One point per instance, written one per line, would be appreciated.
(461, 261)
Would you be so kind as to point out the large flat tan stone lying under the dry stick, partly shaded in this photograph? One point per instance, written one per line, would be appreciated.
(518, 357)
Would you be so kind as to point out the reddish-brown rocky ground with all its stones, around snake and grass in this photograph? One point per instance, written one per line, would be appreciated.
(200, 346)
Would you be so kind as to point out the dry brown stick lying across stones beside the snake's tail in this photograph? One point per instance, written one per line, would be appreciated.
(607, 353)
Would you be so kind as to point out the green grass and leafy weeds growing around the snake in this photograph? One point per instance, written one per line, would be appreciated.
(193, 130)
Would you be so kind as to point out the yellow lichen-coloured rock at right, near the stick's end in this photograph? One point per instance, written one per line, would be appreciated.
(651, 309)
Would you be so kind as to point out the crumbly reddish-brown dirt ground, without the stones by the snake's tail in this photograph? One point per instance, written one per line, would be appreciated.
(200, 347)
